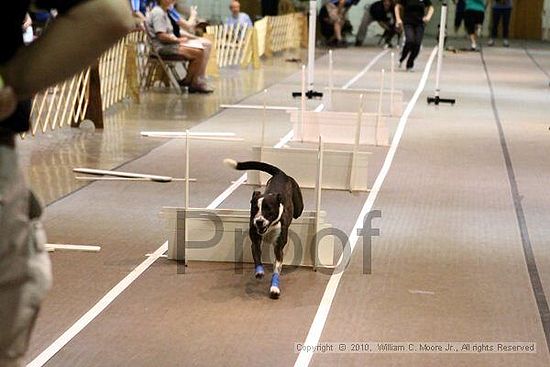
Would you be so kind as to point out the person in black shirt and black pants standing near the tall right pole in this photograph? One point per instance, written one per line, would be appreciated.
(412, 16)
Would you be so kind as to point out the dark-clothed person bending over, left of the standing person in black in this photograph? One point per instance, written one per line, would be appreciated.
(382, 12)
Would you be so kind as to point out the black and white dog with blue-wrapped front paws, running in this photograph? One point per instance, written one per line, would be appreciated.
(270, 216)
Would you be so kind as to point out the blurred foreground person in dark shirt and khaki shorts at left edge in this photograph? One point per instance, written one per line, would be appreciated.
(25, 274)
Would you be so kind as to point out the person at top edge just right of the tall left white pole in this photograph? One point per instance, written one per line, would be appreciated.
(333, 17)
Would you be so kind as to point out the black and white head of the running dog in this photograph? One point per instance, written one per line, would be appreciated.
(267, 211)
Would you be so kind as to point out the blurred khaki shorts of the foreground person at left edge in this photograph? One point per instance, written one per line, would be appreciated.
(25, 270)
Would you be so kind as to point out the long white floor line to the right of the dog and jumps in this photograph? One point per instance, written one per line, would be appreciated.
(318, 324)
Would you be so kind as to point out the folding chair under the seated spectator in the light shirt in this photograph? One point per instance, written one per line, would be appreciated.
(167, 63)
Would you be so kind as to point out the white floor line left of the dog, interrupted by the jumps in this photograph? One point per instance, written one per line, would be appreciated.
(99, 307)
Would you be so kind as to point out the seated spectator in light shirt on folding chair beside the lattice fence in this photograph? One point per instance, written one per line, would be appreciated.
(168, 44)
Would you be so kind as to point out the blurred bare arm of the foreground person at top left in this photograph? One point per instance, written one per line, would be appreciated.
(73, 41)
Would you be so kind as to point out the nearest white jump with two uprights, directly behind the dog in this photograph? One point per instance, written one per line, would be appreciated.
(185, 226)
